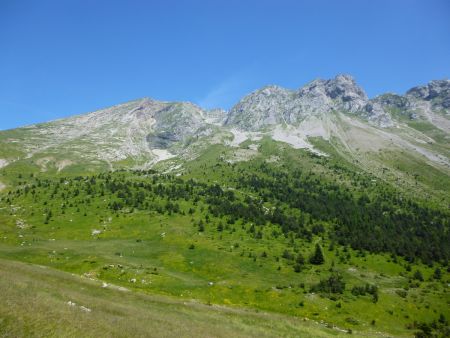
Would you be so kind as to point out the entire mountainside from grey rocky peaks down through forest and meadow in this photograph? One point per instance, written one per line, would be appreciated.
(317, 205)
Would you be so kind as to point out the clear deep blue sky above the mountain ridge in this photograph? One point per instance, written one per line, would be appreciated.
(63, 57)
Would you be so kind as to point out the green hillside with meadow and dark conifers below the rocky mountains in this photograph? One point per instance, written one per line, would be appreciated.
(314, 243)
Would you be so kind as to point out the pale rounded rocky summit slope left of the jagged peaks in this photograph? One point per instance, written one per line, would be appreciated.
(130, 130)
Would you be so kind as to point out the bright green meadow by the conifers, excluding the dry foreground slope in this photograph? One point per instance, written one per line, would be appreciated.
(165, 265)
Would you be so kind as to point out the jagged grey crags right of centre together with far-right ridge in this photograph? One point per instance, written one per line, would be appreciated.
(275, 105)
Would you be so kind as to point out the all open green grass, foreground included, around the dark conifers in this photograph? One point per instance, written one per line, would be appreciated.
(249, 294)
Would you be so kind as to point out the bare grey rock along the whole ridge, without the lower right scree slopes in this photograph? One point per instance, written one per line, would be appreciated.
(144, 131)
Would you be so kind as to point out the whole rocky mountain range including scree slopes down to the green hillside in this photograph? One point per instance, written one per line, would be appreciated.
(145, 132)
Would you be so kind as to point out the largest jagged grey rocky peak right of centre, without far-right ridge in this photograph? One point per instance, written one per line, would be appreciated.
(274, 105)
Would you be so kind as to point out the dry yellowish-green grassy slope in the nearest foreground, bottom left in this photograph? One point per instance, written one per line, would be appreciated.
(35, 304)
